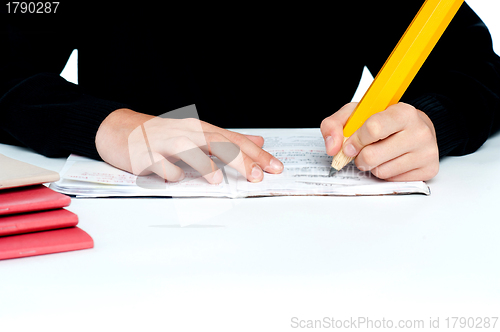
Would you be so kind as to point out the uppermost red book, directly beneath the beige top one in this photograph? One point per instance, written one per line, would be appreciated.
(33, 198)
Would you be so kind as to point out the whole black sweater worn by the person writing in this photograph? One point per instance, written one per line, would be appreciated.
(278, 69)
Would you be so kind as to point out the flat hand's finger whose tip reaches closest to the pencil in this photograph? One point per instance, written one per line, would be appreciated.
(257, 155)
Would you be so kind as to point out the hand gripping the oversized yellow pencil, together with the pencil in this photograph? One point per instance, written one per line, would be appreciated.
(377, 117)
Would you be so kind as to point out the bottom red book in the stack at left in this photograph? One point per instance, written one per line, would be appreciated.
(47, 242)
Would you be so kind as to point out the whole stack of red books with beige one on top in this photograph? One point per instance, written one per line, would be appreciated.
(33, 220)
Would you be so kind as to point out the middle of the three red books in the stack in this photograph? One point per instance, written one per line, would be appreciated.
(37, 221)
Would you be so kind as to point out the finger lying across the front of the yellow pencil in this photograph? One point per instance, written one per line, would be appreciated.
(379, 126)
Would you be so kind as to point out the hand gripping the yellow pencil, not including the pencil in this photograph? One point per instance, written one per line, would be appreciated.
(398, 144)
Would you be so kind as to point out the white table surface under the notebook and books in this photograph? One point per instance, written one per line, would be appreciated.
(254, 264)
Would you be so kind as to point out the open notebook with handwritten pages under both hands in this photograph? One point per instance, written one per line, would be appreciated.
(302, 152)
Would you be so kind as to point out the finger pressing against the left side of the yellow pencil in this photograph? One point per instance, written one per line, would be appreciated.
(332, 128)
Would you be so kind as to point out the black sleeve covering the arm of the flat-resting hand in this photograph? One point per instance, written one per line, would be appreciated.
(39, 108)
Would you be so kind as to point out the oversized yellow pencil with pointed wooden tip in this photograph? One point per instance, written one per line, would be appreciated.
(401, 66)
